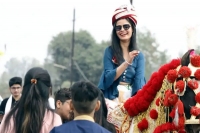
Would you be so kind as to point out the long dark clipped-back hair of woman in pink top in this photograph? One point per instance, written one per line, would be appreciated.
(28, 114)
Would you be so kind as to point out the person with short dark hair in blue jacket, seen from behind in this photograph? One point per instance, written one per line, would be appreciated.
(84, 104)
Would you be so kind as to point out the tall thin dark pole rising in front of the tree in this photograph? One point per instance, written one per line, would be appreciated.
(72, 49)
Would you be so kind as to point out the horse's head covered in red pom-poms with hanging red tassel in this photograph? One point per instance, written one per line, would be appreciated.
(185, 81)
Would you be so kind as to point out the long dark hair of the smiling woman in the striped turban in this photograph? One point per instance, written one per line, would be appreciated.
(115, 42)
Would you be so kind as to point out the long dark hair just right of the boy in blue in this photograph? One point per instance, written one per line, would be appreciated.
(100, 116)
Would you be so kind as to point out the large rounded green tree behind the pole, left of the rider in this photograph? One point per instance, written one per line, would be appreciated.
(87, 56)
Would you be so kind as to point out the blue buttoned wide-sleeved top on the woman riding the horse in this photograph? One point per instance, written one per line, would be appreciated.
(134, 74)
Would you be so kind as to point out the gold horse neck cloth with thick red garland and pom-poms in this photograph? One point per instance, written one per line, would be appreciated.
(144, 111)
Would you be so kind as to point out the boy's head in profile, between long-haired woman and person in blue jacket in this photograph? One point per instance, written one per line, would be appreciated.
(62, 103)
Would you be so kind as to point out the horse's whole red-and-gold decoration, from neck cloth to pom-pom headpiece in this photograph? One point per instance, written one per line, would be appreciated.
(169, 100)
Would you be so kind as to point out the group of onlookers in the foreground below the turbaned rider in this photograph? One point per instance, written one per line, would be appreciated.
(80, 108)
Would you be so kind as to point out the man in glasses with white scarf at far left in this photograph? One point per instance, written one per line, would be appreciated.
(15, 87)
